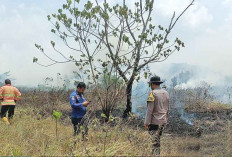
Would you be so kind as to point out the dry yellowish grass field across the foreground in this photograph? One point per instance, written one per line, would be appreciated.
(34, 135)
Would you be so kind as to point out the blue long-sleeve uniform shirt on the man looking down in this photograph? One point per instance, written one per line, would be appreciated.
(76, 101)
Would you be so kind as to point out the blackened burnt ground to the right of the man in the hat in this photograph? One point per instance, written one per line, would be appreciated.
(206, 123)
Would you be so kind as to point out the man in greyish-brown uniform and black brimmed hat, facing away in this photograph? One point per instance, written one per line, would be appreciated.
(157, 112)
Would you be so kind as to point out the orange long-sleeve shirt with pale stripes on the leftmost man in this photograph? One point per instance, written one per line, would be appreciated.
(9, 94)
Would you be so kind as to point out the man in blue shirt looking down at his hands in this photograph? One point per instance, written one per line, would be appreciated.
(78, 104)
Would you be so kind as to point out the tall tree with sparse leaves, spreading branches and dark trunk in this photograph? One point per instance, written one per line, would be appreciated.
(114, 35)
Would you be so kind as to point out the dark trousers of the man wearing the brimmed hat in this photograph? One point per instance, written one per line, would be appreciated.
(156, 132)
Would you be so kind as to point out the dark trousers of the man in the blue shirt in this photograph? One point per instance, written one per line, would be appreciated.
(80, 125)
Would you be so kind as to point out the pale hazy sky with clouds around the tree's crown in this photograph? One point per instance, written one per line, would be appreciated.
(206, 30)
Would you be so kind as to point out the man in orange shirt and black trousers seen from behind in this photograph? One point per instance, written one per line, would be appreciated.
(9, 96)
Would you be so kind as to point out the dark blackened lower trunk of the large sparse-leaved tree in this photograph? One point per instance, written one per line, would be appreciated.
(128, 96)
